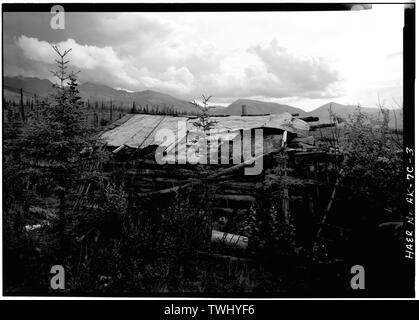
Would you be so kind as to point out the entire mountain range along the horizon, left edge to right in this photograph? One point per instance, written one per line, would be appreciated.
(101, 93)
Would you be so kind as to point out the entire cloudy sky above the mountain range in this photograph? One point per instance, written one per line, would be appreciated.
(304, 59)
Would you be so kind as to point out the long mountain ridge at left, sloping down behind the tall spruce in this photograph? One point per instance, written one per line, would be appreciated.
(97, 92)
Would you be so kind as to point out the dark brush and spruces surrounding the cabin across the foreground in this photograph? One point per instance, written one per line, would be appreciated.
(110, 249)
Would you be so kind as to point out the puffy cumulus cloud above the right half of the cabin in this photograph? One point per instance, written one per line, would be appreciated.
(271, 72)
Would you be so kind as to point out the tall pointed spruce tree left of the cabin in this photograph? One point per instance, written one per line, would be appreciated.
(52, 145)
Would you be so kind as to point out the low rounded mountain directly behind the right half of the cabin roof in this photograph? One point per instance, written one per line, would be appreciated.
(257, 107)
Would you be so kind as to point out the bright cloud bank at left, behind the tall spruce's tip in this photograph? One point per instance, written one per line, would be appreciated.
(99, 65)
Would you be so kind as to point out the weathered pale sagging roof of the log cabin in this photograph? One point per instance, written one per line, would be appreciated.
(140, 129)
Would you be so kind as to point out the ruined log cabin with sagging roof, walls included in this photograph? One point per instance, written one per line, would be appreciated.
(225, 169)
